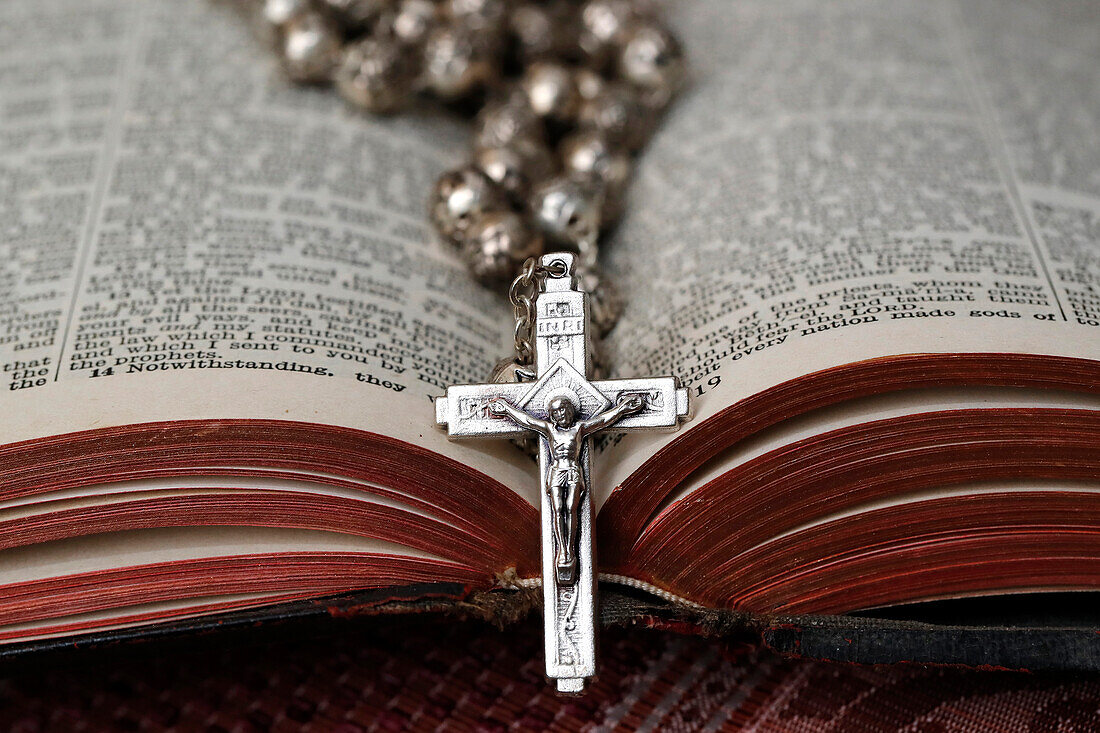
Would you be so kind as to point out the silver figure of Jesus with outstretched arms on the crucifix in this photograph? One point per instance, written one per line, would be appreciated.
(566, 482)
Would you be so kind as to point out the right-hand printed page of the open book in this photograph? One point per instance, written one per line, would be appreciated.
(852, 180)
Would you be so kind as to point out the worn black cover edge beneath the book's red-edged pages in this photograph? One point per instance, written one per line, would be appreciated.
(1050, 643)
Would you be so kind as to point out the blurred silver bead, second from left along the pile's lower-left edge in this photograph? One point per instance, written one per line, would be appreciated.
(377, 75)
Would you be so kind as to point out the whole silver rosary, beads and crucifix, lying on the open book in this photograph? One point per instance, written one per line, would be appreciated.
(568, 92)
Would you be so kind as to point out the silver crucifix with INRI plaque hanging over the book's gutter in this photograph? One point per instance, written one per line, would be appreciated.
(564, 409)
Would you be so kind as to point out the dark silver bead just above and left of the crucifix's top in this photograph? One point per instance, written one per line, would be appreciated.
(498, 244)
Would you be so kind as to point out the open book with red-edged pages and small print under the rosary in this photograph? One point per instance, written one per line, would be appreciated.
(867, 240)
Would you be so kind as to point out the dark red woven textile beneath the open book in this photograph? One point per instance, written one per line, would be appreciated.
(401, 674)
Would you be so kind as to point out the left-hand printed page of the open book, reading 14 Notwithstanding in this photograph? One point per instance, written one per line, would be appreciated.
(188, 235)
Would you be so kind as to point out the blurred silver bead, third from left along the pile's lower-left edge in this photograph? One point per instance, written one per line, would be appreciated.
(456, 64)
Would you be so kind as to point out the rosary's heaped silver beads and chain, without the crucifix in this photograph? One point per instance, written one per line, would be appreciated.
(567, 93)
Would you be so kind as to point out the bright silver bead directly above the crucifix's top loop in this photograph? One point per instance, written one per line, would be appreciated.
(567, 211)
